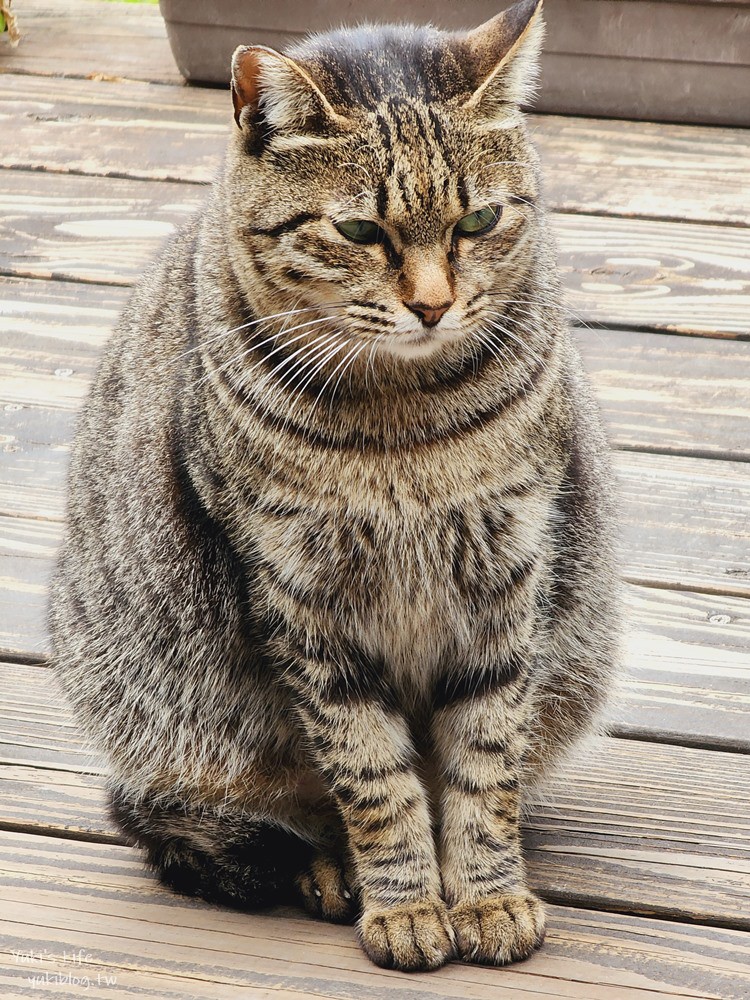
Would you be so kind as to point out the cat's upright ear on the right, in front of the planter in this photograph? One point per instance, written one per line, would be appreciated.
(503, 55)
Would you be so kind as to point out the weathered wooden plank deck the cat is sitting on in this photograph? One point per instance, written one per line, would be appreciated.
(642, 845)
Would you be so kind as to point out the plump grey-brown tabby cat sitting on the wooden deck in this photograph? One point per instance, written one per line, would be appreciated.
(337, 583)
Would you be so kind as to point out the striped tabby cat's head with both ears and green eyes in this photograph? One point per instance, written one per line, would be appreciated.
(385, 173)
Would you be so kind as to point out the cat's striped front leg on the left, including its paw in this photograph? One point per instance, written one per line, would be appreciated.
(364, 752)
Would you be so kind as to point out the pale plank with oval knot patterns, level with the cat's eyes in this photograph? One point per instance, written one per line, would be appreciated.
(660, 275)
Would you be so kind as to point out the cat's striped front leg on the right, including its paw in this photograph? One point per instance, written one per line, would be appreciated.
(480, 727)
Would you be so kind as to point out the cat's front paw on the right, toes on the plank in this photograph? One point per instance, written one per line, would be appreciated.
(500, 929)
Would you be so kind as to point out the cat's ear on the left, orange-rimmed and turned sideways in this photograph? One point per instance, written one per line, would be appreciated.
(279, 91)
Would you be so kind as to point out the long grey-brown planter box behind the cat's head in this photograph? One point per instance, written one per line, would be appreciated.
(660, 60)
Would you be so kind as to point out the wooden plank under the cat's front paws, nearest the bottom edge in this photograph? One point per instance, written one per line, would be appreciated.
(62, 896)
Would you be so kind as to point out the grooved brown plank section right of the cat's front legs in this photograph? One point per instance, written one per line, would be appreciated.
(624, 814)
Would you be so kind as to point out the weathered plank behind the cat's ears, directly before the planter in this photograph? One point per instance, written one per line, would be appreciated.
(591, 165)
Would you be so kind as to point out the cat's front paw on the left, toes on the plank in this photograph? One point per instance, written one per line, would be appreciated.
(415, 937)
